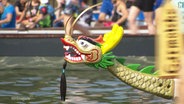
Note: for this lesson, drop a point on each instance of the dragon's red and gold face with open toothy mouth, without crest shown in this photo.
(82, 50)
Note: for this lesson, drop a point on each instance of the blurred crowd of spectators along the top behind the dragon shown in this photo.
(40, 13)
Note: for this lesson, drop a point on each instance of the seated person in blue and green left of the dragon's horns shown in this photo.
(45, 16)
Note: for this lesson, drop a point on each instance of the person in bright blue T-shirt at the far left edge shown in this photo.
(8, 18)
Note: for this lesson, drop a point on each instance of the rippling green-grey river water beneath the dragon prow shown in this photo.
(35, 80)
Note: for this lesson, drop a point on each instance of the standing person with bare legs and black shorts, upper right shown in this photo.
(147, 7)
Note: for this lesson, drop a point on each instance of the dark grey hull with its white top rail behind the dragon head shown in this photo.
(46, 42)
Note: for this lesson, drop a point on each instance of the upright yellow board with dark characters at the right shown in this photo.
(169, 41)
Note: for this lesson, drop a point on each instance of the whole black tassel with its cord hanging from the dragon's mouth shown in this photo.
(63, 82)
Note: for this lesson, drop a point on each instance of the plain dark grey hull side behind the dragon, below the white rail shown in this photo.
(128, 46)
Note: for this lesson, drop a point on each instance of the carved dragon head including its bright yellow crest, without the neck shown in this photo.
(89, 50)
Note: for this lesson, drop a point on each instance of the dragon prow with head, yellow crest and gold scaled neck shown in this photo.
(98, 53)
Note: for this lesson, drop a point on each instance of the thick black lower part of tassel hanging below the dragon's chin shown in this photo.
(63, 87)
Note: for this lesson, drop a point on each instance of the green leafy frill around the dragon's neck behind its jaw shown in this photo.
(105, 62)
